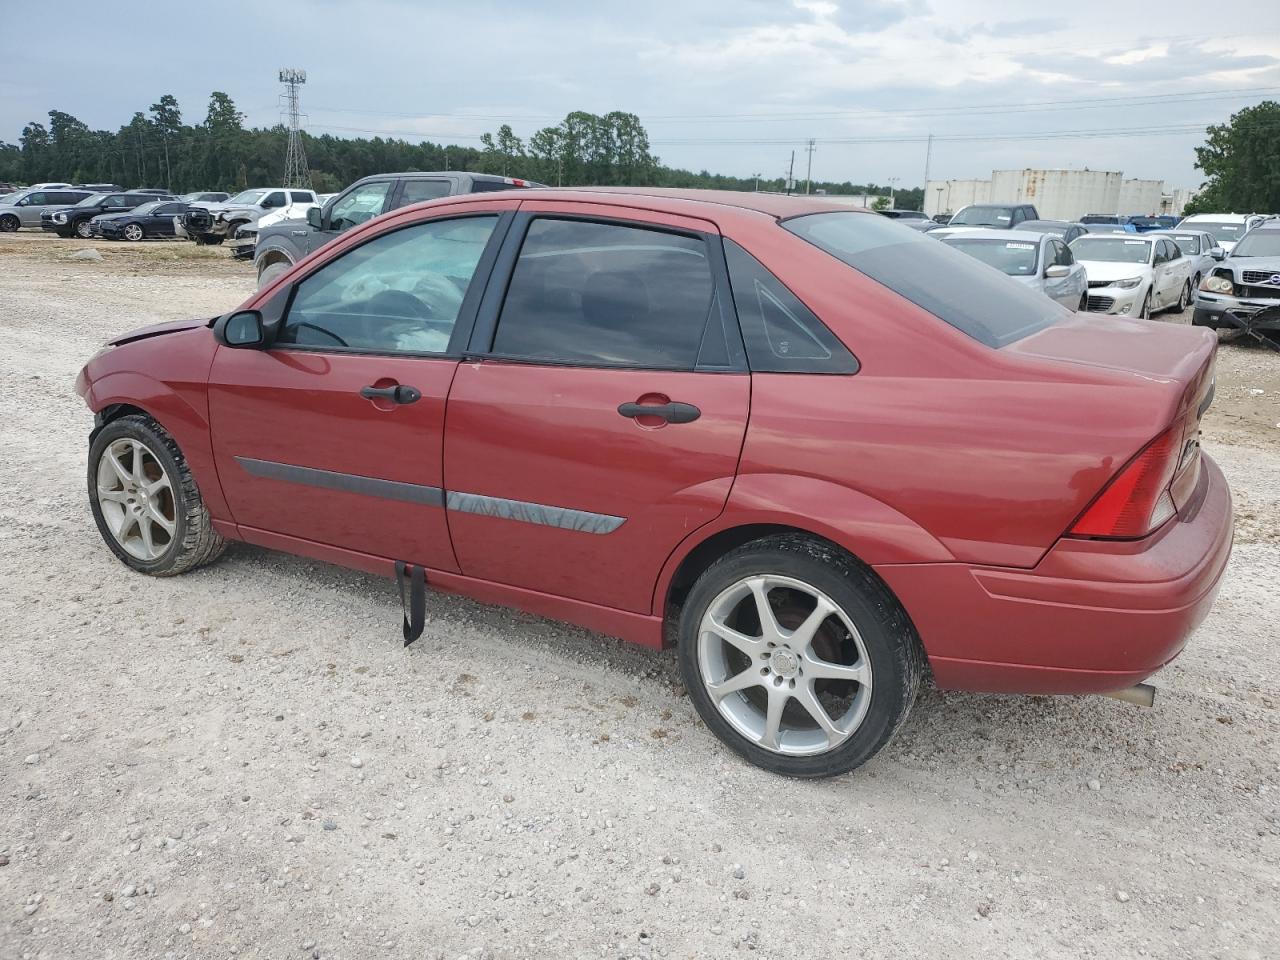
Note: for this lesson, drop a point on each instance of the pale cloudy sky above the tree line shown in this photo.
(733, 86)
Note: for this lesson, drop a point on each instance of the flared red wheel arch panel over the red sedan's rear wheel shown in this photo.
(870, 529)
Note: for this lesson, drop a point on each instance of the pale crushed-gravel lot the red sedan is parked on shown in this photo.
(245, 762)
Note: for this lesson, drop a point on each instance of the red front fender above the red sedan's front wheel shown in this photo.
(186, 419)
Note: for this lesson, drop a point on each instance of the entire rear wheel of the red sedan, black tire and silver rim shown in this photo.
(866, 636)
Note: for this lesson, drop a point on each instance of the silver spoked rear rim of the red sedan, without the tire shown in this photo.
(785, 665)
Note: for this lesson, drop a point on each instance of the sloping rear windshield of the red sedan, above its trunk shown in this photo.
(980, 303)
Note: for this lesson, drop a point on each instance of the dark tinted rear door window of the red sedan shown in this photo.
(606, 295)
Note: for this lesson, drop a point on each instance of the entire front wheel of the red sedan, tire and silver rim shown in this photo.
(148, 456)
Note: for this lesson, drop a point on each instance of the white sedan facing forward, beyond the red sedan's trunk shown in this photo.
(1133, 276)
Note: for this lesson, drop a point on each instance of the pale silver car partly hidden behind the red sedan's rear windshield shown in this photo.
(1040, 260)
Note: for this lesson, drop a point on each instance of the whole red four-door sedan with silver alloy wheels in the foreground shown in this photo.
(812, 449)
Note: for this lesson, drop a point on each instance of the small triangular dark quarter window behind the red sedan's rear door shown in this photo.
(781, 335)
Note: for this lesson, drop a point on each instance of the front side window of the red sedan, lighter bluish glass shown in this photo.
(400, 292)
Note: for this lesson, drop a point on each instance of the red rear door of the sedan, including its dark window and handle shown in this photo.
(560, 478)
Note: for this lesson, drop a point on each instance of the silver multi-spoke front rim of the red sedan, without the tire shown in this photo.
(136, 499)
